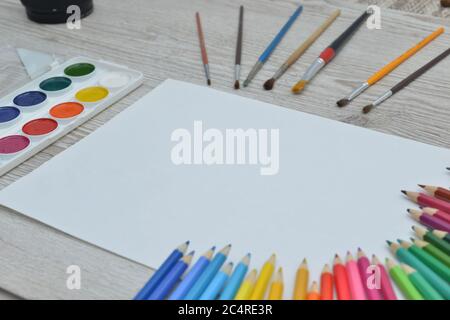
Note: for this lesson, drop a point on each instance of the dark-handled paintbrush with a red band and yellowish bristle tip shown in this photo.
(330, 52)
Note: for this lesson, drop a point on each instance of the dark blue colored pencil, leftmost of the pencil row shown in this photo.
(162, 271)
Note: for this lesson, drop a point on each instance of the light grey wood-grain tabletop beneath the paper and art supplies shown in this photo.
(152, 36)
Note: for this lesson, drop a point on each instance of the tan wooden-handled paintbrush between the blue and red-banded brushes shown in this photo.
(268, 85)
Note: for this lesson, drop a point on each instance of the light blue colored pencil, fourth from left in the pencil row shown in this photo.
(200, 286)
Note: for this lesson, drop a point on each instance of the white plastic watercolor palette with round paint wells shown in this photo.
(47, 108)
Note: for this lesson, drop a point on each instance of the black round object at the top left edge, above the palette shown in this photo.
(55, 11)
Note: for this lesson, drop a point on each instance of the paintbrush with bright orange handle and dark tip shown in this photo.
(387, 69)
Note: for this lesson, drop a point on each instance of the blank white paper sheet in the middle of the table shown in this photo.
(337, 188)
